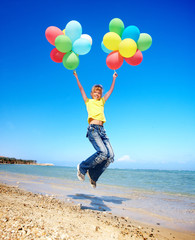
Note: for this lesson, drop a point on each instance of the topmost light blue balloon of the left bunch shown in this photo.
(73, 30)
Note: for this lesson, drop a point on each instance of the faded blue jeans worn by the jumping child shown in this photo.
(99, 161)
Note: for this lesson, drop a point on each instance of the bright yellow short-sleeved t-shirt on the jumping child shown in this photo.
(95, 109)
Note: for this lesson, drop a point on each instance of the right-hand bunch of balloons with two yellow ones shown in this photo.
(124, 43)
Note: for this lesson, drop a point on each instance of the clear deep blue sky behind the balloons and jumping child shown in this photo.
(151, 113)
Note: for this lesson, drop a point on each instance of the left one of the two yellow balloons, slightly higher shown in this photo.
(111, 41)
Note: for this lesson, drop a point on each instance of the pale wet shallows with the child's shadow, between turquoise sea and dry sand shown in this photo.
(173, 212)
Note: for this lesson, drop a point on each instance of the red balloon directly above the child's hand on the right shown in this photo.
(114, 60)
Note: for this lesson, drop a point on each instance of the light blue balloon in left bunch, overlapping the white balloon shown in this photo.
(81, 46)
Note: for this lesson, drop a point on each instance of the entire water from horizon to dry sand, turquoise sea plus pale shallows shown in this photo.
(163, 197)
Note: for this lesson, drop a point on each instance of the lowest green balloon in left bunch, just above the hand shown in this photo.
(70, 60)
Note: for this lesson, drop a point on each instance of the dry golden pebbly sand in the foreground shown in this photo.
(26, 215)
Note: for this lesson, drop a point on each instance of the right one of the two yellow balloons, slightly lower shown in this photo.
(127, 47)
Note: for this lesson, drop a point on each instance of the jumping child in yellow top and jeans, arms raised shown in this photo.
(96, 164)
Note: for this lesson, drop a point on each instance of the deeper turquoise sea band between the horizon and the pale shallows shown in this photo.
(165, 181)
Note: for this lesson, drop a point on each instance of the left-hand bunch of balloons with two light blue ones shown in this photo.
(69, 44)
